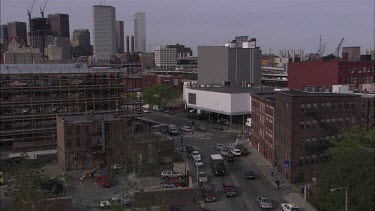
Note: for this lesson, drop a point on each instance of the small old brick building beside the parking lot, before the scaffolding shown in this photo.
(81, 139)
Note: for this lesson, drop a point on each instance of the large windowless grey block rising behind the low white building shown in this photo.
(219, 64)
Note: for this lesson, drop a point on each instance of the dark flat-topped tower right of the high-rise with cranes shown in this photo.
(59, 25)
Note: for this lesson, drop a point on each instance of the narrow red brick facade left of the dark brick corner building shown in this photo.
(262, 117)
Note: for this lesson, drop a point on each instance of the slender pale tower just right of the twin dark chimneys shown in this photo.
(140, 32)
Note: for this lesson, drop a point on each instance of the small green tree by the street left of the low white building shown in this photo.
(159, 95)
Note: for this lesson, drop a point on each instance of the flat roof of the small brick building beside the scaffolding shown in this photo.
(89, 117)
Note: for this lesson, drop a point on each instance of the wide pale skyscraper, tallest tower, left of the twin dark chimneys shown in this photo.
(104, 31)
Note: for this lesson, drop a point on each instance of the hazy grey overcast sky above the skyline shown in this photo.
(277, 24)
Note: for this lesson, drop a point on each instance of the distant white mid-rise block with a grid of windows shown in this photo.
(165, 58)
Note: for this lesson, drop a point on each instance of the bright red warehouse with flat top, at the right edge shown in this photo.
(326, 74)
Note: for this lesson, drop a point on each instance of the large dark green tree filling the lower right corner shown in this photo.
(352, 166)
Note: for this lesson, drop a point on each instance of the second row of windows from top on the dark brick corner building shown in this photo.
(339, 121)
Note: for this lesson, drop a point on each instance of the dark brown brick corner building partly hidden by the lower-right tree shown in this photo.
(304, 123)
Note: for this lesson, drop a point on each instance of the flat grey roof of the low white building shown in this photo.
(232, 89)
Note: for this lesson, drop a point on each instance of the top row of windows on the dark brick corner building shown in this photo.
(328, 106)
